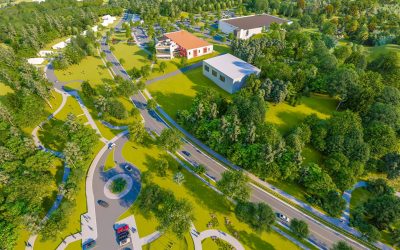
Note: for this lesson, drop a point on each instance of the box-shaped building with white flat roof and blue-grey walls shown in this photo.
(228, 71)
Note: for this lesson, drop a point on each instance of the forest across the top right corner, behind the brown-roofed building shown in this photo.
(369, 22)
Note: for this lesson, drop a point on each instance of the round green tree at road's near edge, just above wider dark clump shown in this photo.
(234, 184)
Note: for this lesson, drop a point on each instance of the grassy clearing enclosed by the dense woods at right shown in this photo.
(286, 116)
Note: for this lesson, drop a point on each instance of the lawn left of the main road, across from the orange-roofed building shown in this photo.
(90, 68)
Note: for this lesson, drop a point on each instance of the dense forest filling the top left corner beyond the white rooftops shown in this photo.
(27, 27)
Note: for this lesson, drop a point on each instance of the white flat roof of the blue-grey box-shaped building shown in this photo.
(232, 66)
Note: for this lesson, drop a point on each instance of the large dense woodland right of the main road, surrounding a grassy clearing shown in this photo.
(293, 64)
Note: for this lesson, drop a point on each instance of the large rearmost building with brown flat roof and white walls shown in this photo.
(246, 26)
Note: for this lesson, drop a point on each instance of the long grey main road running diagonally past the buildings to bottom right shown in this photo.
(320, 232)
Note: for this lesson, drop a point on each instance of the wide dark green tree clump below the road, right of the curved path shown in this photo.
(258, 215)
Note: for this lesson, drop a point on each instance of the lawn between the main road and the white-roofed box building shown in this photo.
(177, 92)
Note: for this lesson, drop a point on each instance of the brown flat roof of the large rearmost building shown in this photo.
(257, 21)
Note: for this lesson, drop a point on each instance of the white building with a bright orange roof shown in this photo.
(185, 44)
